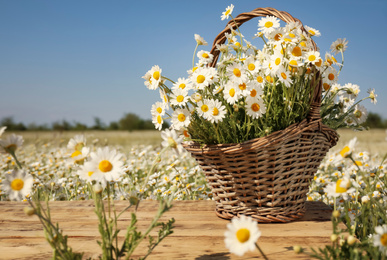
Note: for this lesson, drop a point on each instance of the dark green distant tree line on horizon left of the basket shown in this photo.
(129, 122)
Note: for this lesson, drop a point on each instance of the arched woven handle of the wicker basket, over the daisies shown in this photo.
(244, 17)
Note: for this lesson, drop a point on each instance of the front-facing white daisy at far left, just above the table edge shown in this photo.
(18, 184)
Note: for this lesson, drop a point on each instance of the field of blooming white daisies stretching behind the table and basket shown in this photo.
(350, 179)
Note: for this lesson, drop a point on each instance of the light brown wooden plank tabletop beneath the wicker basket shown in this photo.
(198, 232)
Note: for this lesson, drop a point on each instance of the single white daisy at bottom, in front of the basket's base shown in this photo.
(241, 235)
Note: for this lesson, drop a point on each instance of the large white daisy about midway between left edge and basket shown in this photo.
(107, 163)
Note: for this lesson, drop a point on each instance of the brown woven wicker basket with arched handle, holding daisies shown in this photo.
(266, 178)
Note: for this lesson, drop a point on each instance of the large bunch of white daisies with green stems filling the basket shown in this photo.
(253, 92)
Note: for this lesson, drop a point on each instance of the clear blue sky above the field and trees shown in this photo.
(76, 60)
